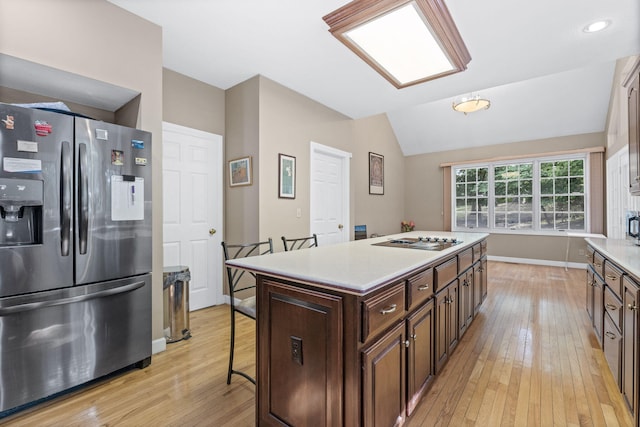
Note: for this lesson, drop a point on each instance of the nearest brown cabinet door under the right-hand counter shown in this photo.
(630, 345)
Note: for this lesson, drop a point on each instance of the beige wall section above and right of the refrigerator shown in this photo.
(96, 39)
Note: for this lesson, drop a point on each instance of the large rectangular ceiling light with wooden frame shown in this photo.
(407, 41)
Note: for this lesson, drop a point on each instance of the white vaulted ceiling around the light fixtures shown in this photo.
(544, 76)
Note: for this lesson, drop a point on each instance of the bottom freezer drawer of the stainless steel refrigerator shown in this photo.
(54, 340)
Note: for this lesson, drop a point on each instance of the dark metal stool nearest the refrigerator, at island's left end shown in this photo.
(238, 282)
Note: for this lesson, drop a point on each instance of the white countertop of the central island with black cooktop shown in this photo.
(355, 266)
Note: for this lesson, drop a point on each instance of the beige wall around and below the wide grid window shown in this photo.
(424, 194)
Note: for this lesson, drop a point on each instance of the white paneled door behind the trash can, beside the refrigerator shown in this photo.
(192, 209)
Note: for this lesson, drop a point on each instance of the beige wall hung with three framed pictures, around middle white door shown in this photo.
(286, 123)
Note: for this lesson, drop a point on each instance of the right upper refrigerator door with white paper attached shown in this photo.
(113, 201)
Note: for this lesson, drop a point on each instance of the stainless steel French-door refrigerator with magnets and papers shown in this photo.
(75, 252)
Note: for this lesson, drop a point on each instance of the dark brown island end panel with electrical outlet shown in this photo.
(305, 357)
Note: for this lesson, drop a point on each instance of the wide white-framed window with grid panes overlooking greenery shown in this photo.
(528, 195)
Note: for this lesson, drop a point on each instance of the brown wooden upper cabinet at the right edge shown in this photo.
(632, 84)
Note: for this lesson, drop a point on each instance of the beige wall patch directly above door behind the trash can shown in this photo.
(192, 103)
